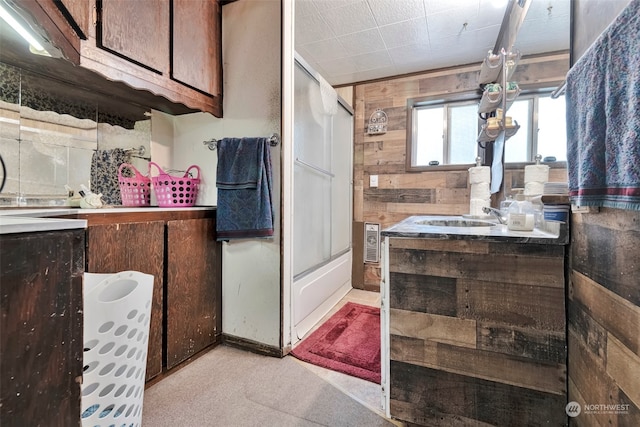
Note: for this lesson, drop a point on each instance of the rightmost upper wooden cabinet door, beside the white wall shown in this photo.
(197, 44)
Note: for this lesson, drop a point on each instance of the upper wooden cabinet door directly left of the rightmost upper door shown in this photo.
(137, 31)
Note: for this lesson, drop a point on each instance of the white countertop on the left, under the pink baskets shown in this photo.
(30, 220)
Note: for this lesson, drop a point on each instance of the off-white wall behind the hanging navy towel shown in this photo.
(251, 52)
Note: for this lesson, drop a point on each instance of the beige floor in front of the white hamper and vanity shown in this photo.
(232, 387)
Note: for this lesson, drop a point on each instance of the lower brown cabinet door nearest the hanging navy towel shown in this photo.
(193, 293)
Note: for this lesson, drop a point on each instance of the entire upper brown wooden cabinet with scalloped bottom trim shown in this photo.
(170, 51)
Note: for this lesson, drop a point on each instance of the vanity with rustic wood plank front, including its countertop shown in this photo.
(474, 324)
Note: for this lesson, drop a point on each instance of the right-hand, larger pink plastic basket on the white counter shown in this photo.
(175, 191)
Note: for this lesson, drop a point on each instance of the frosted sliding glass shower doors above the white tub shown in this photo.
(322, 177)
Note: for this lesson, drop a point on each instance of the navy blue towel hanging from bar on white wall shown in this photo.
(244, 183)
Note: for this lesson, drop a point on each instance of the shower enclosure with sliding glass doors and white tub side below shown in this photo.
(322, 185)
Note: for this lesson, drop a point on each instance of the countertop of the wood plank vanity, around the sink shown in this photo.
(554, 234)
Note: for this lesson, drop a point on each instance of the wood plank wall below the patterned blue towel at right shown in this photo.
(604, 315)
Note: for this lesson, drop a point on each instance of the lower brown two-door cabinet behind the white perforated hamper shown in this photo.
(180, 250)
